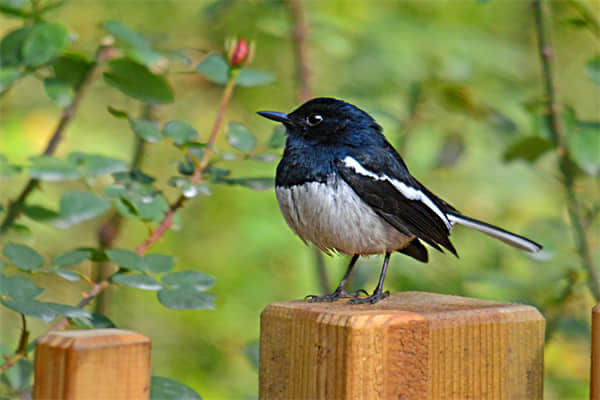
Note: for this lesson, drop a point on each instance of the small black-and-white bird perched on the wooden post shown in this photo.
(343, 187)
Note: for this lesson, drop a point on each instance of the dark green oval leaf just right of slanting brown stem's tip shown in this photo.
(137, 81)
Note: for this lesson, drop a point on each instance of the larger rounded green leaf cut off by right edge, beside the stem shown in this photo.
(584, 143)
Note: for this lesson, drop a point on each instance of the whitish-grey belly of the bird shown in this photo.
(333, 217)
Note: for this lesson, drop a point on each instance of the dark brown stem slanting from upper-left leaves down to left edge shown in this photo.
(104, 53)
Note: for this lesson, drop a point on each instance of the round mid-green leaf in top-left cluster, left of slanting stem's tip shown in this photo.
(45, 42)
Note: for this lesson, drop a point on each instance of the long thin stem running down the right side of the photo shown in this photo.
(541, 11)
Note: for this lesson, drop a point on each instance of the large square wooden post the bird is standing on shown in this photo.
(412, 345)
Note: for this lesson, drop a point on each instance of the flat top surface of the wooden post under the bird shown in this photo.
(409, 305)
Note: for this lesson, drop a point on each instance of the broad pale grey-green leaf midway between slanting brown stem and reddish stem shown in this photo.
(77, 206)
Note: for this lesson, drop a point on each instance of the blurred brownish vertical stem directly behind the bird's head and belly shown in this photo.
(303, 74)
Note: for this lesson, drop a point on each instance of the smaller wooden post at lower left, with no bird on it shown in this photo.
(92, 364)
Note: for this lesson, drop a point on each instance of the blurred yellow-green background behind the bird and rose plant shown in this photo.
(451, 82)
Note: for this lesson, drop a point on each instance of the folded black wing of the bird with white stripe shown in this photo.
(381, 179)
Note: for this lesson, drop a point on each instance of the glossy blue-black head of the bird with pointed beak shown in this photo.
(327, 120)
